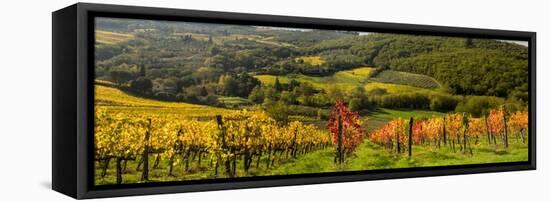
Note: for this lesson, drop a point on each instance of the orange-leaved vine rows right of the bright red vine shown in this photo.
(457, 131)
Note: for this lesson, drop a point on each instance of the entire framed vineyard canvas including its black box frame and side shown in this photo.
(155, 100)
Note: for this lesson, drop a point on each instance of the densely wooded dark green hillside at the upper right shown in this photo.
(457, 63)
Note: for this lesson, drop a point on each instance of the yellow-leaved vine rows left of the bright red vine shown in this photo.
(243, 137)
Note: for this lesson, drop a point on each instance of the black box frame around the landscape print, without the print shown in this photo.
(72, 98)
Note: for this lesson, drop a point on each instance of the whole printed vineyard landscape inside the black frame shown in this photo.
(183, 101)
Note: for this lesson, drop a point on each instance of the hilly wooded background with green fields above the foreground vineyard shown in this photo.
(221, 65)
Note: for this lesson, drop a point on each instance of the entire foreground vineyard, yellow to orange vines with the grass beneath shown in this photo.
(147, 147)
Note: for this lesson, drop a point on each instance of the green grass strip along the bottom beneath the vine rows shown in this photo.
(368, 156)
